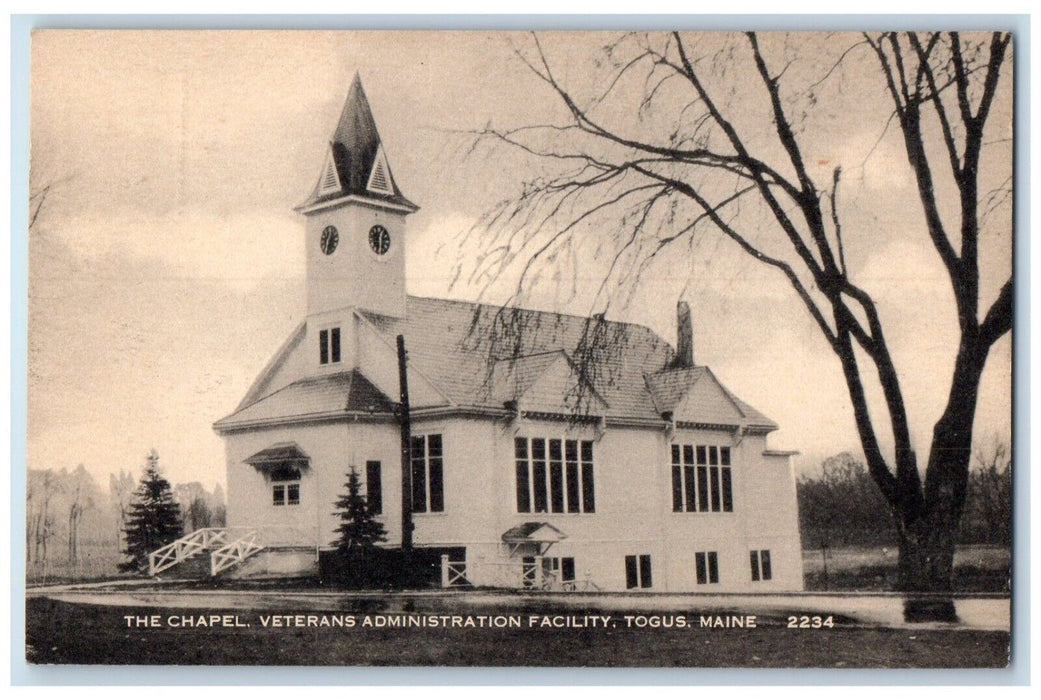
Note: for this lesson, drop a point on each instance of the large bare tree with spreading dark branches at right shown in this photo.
(697, 146)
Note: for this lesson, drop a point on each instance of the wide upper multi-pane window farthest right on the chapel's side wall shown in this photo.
(702, 480)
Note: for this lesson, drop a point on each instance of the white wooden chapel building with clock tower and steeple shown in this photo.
(547, 451)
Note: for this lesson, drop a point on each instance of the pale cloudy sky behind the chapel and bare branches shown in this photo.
(167, 265)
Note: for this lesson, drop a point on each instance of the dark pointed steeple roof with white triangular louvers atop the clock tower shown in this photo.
(357, 164)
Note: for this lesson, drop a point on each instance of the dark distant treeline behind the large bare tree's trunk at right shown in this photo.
(842, 507)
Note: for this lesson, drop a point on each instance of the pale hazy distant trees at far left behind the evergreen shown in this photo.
(71, 519)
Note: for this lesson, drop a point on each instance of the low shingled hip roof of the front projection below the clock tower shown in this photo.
(326, 396)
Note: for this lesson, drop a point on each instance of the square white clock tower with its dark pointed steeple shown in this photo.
(356, 230)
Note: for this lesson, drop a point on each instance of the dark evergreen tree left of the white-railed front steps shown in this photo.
(154, 519)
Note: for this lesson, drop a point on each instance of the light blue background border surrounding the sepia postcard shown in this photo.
(1018, 673)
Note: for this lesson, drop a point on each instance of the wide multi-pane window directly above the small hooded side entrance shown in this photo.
(554, 476)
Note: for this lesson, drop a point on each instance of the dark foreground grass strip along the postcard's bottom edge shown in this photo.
(61, 633)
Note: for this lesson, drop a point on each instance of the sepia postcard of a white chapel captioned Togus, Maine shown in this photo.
(530, 349)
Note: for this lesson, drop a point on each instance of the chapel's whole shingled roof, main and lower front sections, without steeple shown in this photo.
(478, 357)
